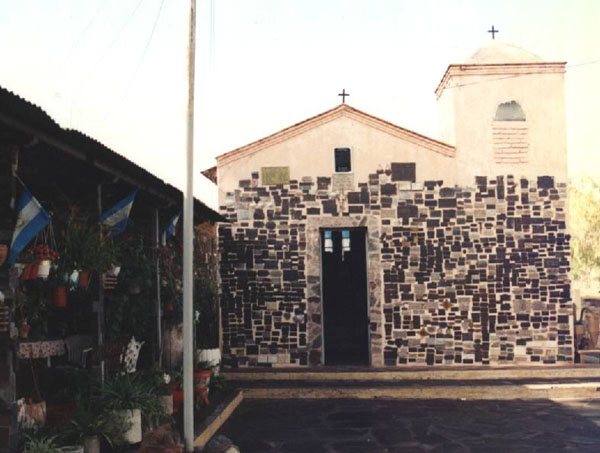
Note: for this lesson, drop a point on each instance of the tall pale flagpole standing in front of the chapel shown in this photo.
(188, 248)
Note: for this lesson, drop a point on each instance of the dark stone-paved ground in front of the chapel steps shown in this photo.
(313, 426)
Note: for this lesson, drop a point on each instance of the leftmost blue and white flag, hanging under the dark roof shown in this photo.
(32, 219)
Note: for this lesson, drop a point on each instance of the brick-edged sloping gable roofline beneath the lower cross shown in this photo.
(342, 110)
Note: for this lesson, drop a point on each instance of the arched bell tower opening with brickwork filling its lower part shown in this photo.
(510, 134)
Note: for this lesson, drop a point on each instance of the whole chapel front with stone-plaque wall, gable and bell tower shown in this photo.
(354, 241)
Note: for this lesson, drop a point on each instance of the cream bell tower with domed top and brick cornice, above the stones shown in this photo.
(504, 110)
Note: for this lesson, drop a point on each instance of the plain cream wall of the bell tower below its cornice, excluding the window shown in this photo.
(474, 102)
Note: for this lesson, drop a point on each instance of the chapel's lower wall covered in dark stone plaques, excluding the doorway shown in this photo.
(456, 276)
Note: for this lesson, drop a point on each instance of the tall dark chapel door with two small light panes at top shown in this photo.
(345, 309)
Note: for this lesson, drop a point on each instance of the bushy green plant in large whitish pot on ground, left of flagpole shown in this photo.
(130, 397)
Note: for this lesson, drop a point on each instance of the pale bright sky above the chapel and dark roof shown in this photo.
(116, 69)
